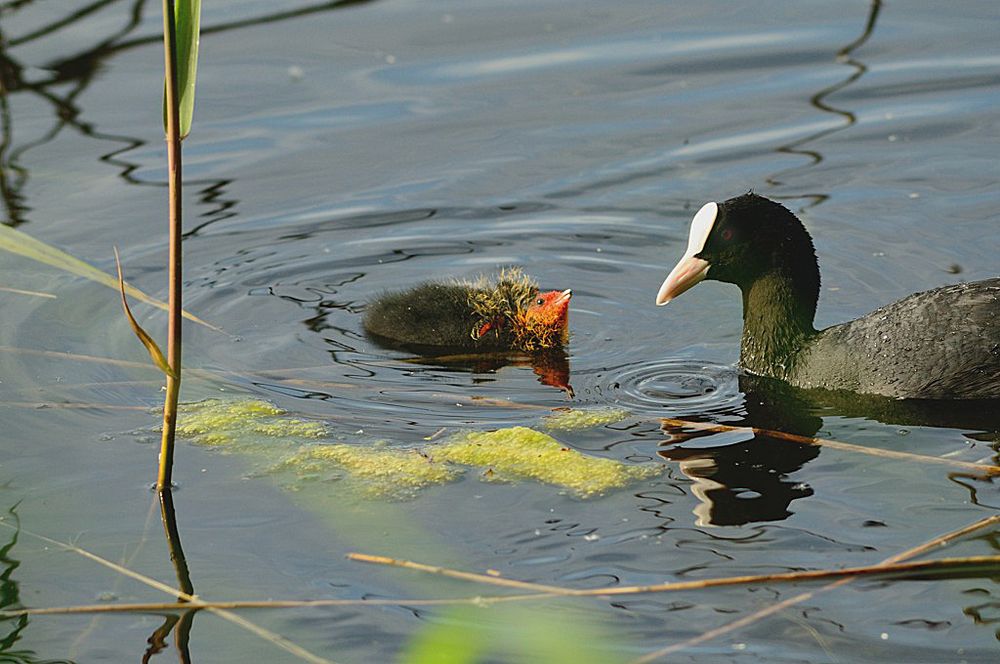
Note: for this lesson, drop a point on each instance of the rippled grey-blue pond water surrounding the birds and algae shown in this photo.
(340, 149)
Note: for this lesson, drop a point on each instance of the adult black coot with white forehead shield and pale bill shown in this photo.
(938, 344)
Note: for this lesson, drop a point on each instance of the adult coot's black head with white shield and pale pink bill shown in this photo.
(741, 240)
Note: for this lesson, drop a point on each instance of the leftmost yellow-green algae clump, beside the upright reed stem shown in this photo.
(219, 422)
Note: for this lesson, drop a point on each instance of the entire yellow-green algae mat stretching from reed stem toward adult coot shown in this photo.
(308, 450)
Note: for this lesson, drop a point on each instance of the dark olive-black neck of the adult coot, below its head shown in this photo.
(778, 313)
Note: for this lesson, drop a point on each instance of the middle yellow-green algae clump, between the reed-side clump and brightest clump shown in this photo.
(384, 471)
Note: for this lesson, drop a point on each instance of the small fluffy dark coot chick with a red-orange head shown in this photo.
(506, 314)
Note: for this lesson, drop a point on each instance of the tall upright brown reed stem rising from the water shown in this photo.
(175, 275)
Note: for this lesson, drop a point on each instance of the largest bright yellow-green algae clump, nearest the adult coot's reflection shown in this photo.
(520, 452)
